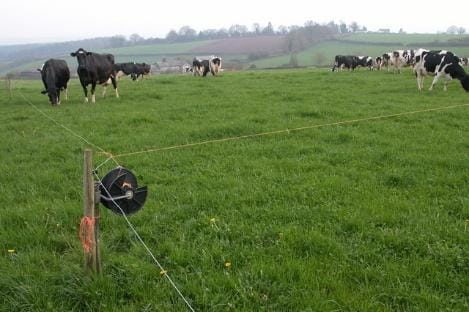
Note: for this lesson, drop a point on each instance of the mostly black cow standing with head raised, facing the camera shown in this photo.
(94, 68)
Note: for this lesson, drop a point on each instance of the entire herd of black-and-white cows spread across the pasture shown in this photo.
(94, 68)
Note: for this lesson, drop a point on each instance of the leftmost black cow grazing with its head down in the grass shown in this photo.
(55, 76)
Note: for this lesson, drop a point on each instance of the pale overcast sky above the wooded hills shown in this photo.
(28, 21)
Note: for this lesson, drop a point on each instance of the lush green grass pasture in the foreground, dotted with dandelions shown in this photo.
(369, 216)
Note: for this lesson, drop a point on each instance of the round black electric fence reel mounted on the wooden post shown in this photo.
(120, 192)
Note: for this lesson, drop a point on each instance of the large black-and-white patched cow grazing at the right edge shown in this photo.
(440, 63)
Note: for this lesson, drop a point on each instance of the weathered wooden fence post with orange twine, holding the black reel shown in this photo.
(91, 211)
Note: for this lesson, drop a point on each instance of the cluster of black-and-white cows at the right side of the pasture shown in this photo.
(440, 64)
